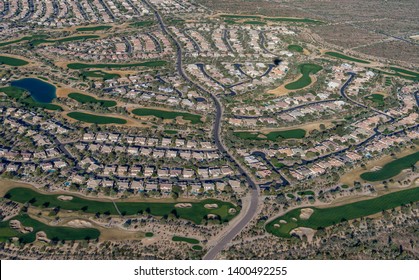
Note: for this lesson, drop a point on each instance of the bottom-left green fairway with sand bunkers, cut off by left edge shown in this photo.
(53, 232)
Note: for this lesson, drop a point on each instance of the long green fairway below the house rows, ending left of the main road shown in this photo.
(196, 213)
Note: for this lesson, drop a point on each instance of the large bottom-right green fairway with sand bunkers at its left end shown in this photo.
(324, 217)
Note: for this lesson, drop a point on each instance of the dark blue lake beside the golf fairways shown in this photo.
(40, 91)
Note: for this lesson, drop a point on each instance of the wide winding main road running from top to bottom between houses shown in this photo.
(235, 229)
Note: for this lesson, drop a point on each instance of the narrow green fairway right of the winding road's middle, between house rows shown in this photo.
(272, 136)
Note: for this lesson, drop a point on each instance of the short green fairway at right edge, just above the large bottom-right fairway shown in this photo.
(392, 168)
